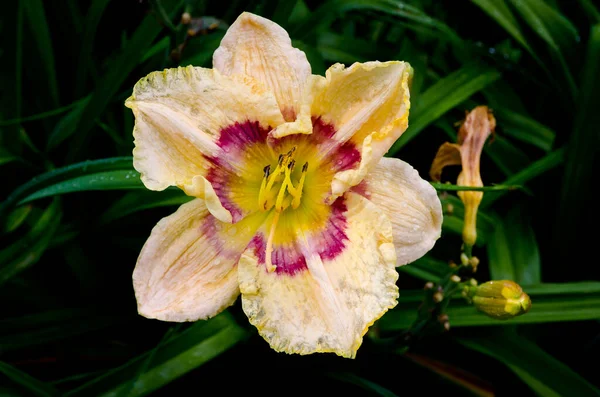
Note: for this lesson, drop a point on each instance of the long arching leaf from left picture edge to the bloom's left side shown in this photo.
(62, 174)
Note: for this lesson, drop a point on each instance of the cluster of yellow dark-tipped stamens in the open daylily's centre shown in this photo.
(277, 189)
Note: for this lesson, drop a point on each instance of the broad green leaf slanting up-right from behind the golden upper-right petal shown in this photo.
(443, 96)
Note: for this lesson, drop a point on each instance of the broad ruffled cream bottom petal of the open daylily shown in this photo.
(332, 297)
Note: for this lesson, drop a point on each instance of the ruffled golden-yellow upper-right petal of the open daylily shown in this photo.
(367, 100)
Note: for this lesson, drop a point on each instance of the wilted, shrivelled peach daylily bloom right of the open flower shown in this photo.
(474, 131)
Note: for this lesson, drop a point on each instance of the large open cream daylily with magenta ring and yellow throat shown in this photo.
(295, 207)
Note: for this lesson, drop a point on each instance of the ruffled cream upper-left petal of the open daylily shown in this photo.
(179, 115)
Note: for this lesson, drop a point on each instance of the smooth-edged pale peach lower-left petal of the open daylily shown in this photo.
(187, 268)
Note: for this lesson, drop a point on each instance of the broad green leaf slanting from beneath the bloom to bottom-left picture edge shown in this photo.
(194, 347)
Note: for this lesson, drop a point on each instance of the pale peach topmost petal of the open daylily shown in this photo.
(260, 48)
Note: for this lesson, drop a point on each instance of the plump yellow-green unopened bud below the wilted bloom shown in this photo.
(502, 300)
